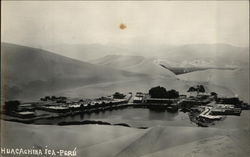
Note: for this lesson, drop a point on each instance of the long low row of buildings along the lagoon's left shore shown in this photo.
(58, 106)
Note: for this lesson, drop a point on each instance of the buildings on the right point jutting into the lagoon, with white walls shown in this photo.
(204, 114)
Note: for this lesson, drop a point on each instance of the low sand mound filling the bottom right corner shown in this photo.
(216, 146)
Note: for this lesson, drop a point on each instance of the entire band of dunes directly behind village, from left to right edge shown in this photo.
(47, 73)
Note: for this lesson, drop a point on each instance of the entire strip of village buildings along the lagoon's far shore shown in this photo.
(203, 108)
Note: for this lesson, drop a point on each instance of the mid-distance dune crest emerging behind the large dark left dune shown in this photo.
(137, 64)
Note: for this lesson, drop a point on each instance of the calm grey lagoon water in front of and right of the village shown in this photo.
(141, 116)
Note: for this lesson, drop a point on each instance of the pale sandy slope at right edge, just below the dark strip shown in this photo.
(235, 80)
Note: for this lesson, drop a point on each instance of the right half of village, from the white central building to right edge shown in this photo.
(203, 107)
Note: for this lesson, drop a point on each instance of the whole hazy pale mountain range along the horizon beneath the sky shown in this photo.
(191, 55)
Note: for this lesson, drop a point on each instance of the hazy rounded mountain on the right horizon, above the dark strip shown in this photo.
(206, 55)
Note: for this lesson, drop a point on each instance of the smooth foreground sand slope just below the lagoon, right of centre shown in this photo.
(159, 138)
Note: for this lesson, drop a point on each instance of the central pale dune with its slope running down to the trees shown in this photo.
(157, 76)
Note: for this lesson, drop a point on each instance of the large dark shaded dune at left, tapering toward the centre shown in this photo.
(29, 72)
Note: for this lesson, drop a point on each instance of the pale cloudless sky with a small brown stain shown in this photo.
(40, 23)
